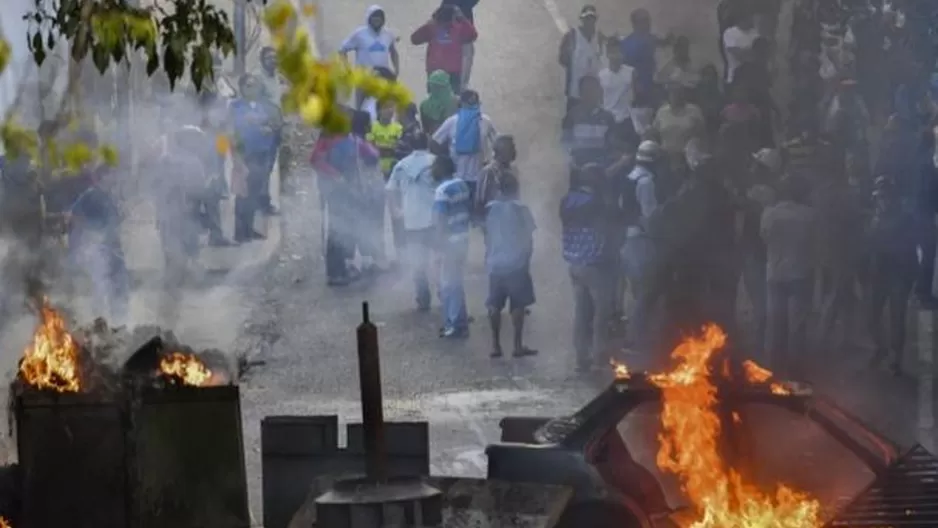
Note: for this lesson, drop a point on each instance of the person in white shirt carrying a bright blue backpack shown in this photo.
(470, 135)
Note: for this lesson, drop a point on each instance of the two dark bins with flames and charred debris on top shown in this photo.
(151, 442)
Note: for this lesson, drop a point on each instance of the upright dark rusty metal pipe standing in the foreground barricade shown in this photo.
(369, 376)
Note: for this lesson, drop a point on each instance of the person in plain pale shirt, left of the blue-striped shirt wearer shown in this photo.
(411, 191)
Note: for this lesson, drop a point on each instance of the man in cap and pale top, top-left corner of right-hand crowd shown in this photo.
(581, 51)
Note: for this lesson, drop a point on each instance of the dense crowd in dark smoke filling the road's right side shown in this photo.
(686, 185)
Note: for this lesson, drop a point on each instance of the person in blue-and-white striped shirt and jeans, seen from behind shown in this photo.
(451, 211)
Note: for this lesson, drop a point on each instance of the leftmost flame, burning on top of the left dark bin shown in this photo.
(51, 359)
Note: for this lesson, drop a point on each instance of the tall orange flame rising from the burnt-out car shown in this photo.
(690, 431)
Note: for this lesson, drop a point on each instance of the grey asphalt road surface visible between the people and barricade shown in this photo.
(307, 331)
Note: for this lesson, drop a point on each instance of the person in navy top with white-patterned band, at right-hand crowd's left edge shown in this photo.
(585, 217)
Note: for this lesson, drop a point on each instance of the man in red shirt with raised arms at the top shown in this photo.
(445, 35)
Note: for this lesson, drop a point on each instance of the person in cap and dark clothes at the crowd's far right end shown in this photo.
(893, 269)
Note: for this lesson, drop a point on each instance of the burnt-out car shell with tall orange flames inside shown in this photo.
(701, 446)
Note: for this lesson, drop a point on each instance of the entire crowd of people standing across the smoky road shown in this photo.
(688, 183)
